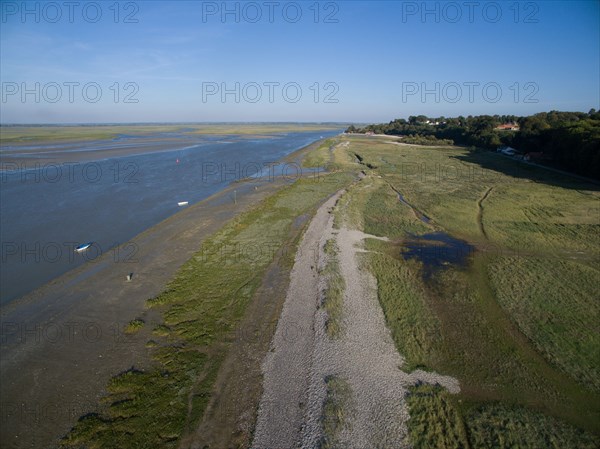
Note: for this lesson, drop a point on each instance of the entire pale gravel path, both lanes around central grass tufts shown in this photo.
(364, 355)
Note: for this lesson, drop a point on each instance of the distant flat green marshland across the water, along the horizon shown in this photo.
(39, 134)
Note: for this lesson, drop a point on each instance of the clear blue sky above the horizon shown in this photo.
(354, 61)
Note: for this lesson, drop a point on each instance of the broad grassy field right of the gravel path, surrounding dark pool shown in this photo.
(518, 325)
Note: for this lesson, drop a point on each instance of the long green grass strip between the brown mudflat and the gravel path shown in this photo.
(201, 308)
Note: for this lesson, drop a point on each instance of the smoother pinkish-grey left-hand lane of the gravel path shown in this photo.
(286, 367)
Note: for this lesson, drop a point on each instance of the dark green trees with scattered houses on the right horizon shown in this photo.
(568, 140)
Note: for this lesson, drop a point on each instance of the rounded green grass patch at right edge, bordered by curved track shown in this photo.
(533, 291)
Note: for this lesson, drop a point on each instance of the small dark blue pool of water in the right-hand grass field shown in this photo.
(436, 251)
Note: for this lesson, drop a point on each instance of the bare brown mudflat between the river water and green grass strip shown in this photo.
(63, 342)
